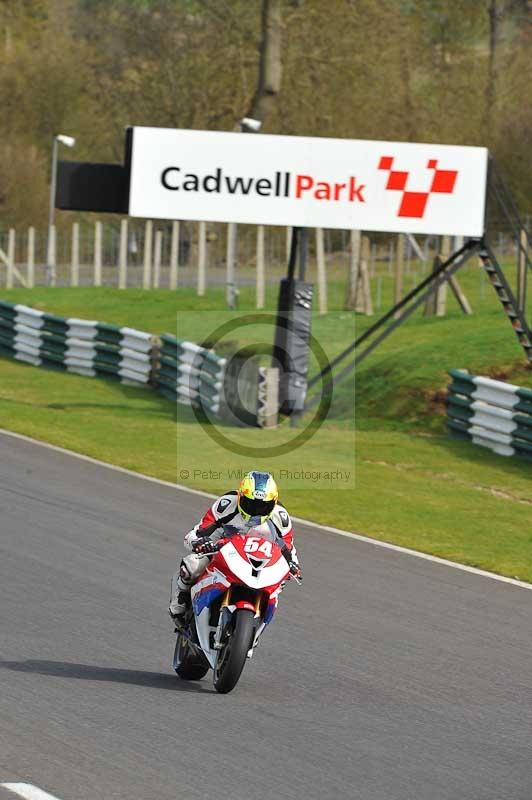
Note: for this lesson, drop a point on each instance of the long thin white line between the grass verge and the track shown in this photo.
(327, 528)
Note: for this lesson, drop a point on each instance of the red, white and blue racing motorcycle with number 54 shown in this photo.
(232, 603)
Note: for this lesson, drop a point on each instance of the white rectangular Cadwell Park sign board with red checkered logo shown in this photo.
(307, 182)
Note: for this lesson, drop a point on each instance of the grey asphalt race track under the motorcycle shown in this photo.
(384, 677)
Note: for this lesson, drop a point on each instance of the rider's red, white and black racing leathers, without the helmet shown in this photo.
(224, 512)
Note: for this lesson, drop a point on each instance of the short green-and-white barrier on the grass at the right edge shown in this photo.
(491, 413)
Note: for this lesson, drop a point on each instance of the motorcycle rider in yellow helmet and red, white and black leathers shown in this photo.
(254, 505)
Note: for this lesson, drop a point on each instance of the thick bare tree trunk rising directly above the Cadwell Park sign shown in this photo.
(270, 67)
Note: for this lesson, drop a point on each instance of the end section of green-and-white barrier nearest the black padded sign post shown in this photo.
(190, 374)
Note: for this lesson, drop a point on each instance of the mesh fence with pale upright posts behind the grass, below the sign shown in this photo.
(144, 254)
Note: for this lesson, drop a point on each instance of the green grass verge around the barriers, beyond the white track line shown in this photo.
(414, 485)
